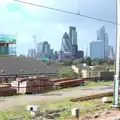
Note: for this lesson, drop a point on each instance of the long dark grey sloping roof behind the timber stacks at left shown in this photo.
(12, 65)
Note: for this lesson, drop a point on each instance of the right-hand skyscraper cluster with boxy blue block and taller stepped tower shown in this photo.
(101, 47)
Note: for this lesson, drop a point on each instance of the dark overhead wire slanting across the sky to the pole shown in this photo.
(68, 12)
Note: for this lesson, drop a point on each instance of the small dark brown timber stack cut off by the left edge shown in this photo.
(6, 90)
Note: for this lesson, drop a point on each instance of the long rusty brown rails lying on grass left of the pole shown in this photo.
(91, 97)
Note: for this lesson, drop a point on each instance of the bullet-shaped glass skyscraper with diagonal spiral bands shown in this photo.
(66, 43)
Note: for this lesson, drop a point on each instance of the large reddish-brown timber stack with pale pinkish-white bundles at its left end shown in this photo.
(32, 84)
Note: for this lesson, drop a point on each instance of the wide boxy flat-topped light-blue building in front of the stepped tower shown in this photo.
(97, 49)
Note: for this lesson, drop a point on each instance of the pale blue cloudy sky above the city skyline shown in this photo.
(47, 25)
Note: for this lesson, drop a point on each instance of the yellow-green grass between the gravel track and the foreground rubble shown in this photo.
(85, 107)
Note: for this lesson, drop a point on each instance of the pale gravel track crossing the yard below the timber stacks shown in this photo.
(15, 101)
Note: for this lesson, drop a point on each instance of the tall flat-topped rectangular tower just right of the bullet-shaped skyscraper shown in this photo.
(73, 35)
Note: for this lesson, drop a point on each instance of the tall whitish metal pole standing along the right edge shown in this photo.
(117, 69)
